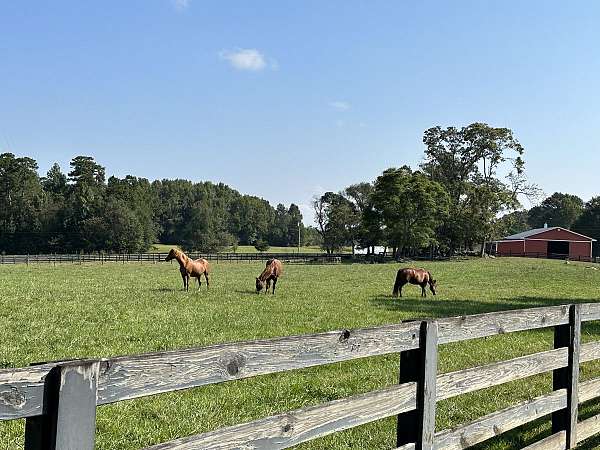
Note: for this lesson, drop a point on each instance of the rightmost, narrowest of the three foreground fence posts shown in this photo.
(568, 377)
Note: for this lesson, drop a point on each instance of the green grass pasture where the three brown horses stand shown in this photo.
(92, 310)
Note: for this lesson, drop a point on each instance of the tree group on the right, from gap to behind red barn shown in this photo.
(465, 193)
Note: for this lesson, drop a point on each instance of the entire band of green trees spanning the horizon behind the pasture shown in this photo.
(465, 193)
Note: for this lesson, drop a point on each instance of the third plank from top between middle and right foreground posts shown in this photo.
(500, 422)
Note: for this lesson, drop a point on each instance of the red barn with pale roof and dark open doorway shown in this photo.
(552, 242)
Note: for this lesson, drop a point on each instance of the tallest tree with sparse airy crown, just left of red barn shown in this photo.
(482, 169)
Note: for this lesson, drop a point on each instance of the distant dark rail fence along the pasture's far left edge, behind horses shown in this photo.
(79, 258)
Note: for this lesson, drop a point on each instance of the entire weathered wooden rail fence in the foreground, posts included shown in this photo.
(59, 400)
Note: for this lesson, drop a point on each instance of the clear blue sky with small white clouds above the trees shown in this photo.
(287, 99)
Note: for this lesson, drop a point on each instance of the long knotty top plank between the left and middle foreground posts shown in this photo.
(131, 377)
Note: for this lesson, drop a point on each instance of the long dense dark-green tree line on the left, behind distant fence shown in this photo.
(82, 211)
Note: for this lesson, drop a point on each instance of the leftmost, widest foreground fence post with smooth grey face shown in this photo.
(69, 420)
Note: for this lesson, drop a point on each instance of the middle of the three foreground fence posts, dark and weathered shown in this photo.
(420, 365)
